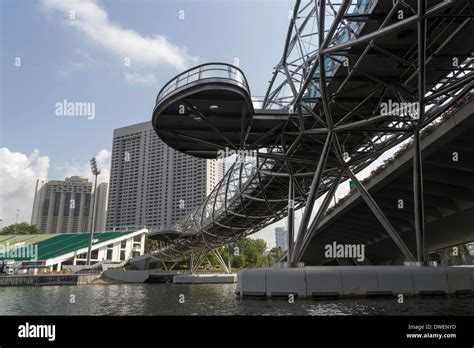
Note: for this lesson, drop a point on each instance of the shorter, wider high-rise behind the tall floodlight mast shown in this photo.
(65, 206)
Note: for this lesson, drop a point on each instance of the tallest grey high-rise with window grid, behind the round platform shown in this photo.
(152, 184)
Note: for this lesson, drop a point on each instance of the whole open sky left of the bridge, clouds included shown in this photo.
(79, 56)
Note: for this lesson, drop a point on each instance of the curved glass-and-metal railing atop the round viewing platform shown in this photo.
(222, 71)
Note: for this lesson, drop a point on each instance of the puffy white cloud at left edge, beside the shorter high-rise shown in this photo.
(18, 174)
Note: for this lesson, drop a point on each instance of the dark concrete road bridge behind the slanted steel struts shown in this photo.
(448, 183)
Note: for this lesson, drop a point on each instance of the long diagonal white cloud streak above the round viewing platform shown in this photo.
(143, 51)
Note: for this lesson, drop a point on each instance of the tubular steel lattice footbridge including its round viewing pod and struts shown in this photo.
(320, 122)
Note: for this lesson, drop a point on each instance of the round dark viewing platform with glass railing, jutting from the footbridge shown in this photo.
(204, 109)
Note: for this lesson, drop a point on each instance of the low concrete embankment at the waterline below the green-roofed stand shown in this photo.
(40, 280)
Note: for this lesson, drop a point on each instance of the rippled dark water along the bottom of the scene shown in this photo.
(202, 299)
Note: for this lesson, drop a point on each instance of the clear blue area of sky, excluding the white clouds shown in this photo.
(59, 62)
